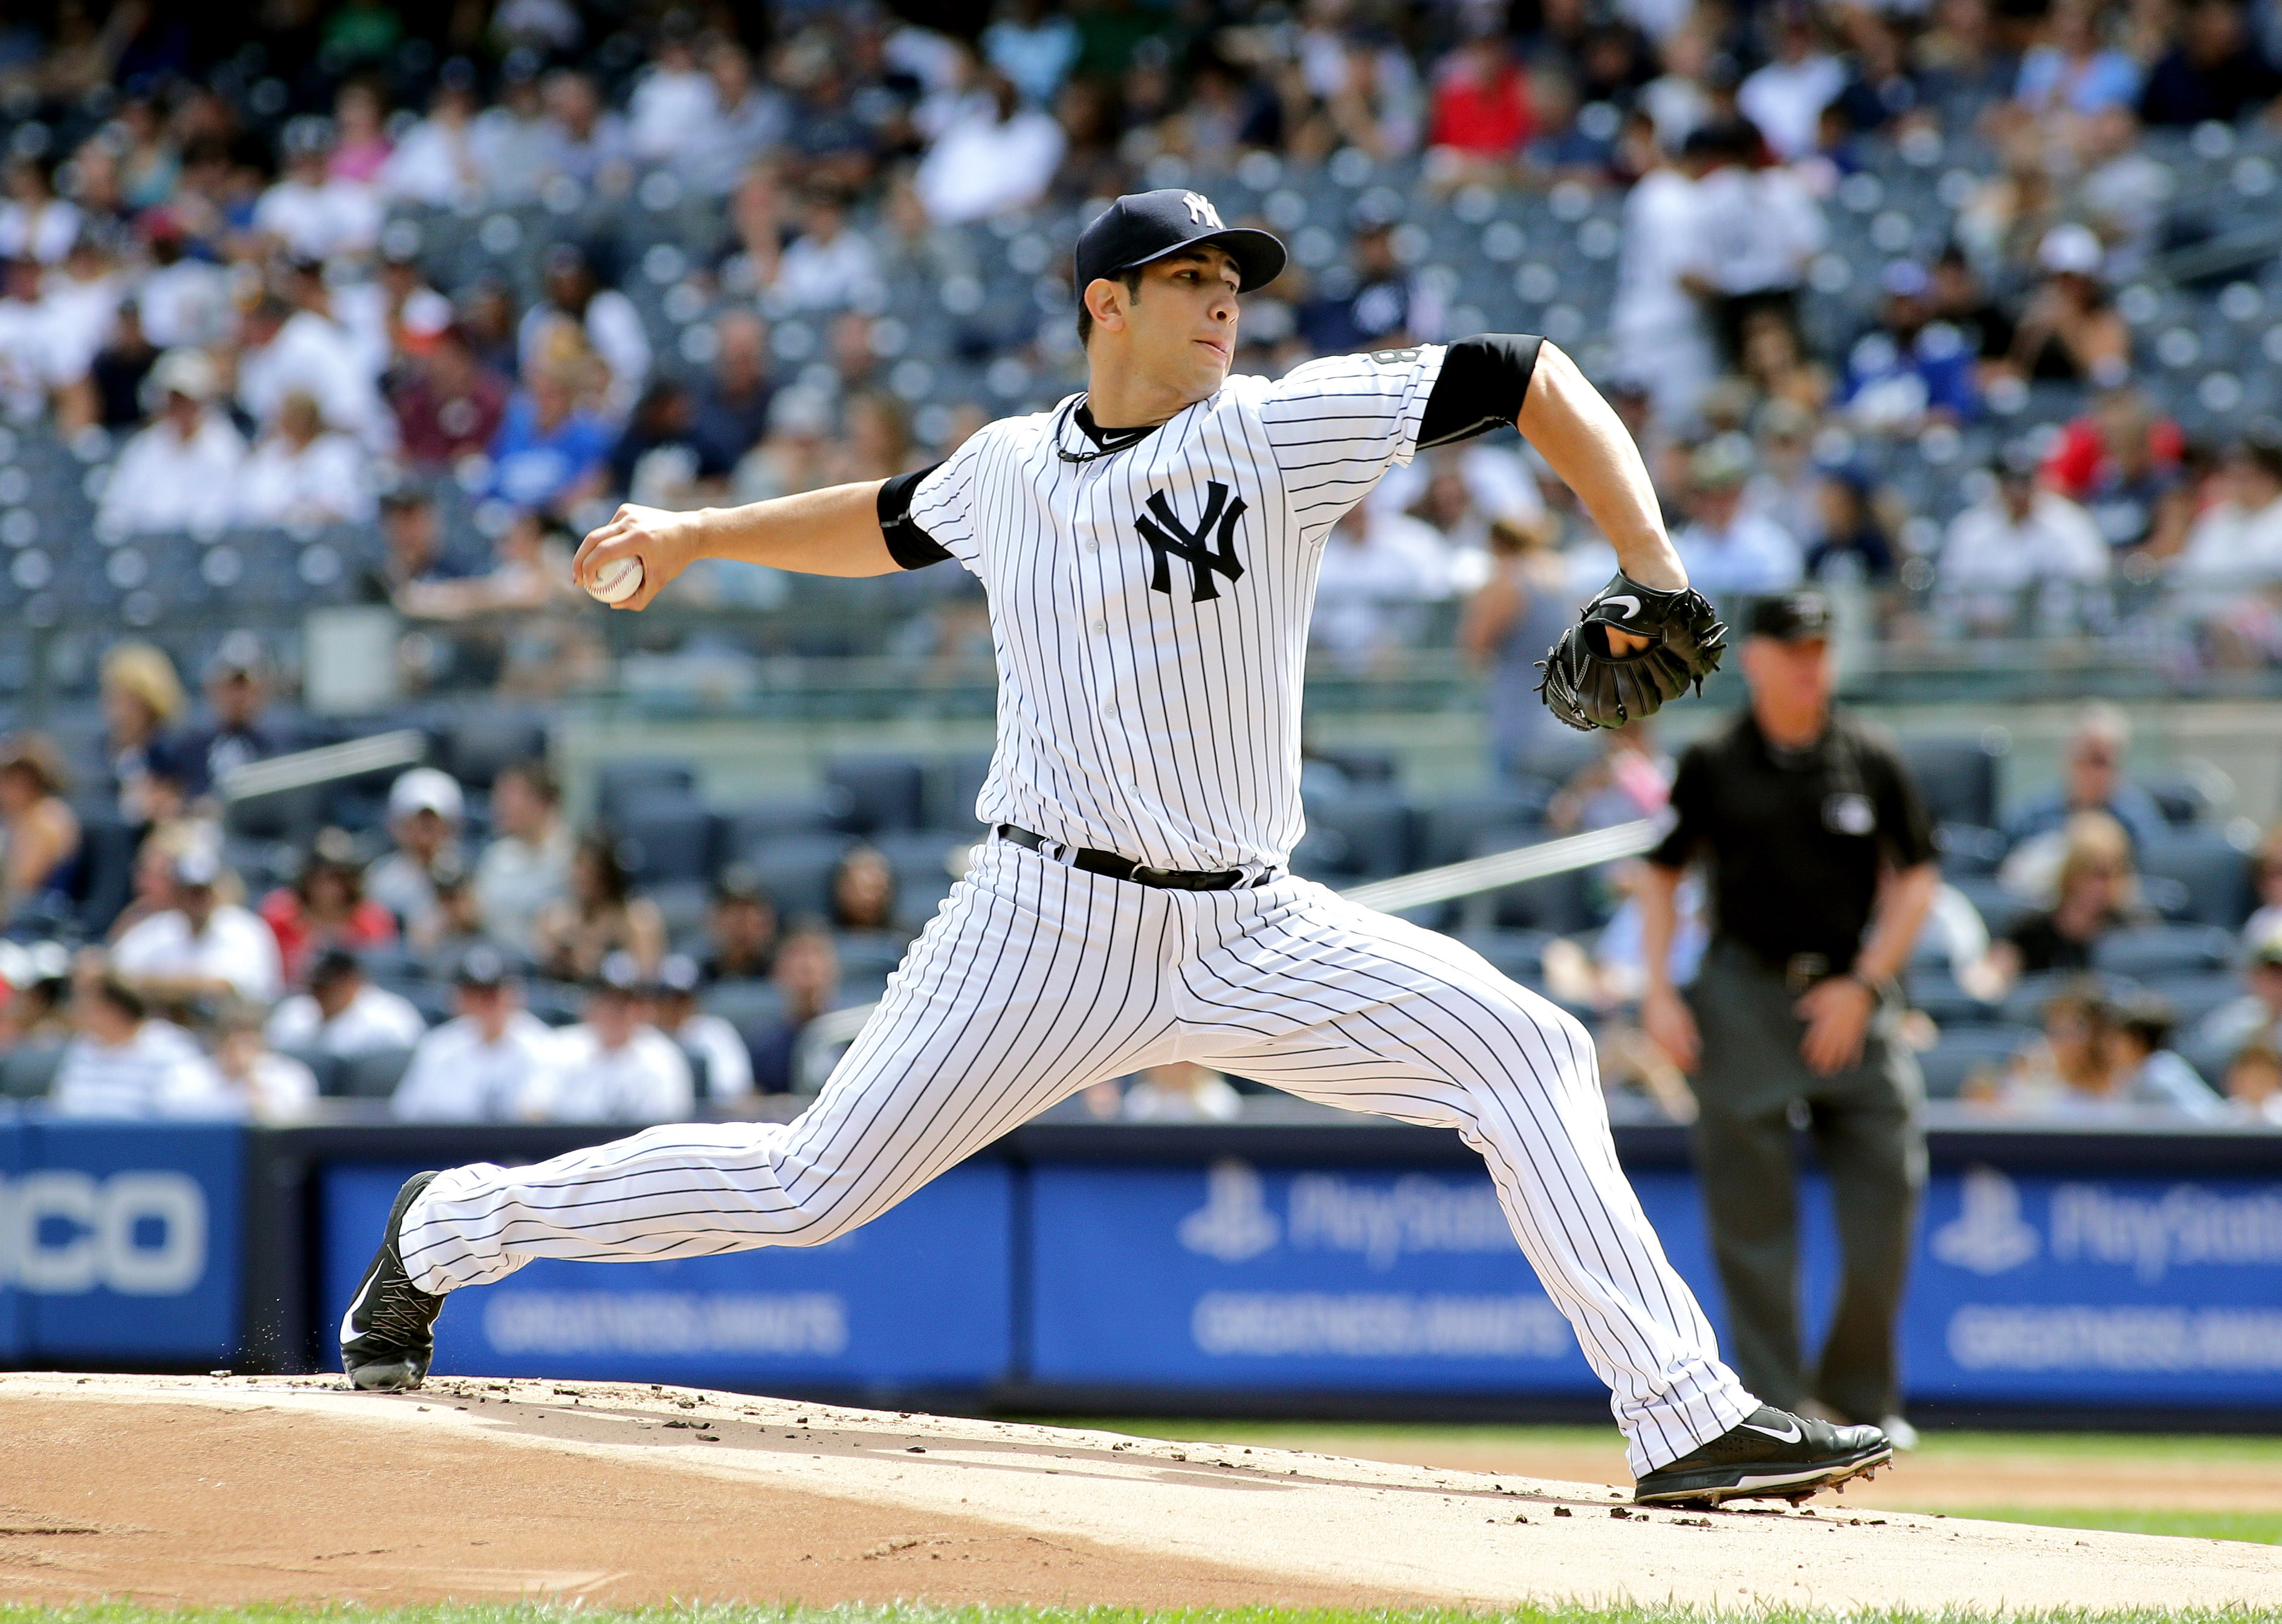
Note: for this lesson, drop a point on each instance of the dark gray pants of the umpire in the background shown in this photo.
(1872, 1146)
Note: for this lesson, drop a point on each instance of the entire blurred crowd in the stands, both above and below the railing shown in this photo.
(1895, 298)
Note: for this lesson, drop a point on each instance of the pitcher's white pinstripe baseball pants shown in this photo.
(1039, 980)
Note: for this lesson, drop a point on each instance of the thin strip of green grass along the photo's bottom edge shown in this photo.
(921, 1614)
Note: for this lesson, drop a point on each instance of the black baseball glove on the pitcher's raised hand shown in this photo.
(1587, 685)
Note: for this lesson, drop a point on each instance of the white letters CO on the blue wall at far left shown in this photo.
(136, 1233)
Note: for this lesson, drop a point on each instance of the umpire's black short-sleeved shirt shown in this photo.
(1795, 841)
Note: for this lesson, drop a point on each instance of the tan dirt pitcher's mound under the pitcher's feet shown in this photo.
(298, 1491)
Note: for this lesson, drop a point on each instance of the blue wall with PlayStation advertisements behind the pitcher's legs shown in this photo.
(2034, 1285)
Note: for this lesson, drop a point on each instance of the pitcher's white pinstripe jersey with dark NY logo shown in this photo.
(1151, 606)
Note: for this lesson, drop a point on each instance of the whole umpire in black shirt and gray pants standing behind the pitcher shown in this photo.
(1820, 870)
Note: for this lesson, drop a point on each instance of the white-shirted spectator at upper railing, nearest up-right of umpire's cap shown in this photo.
(2016, 539)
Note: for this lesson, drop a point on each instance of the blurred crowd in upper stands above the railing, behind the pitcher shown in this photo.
(222, 254)
